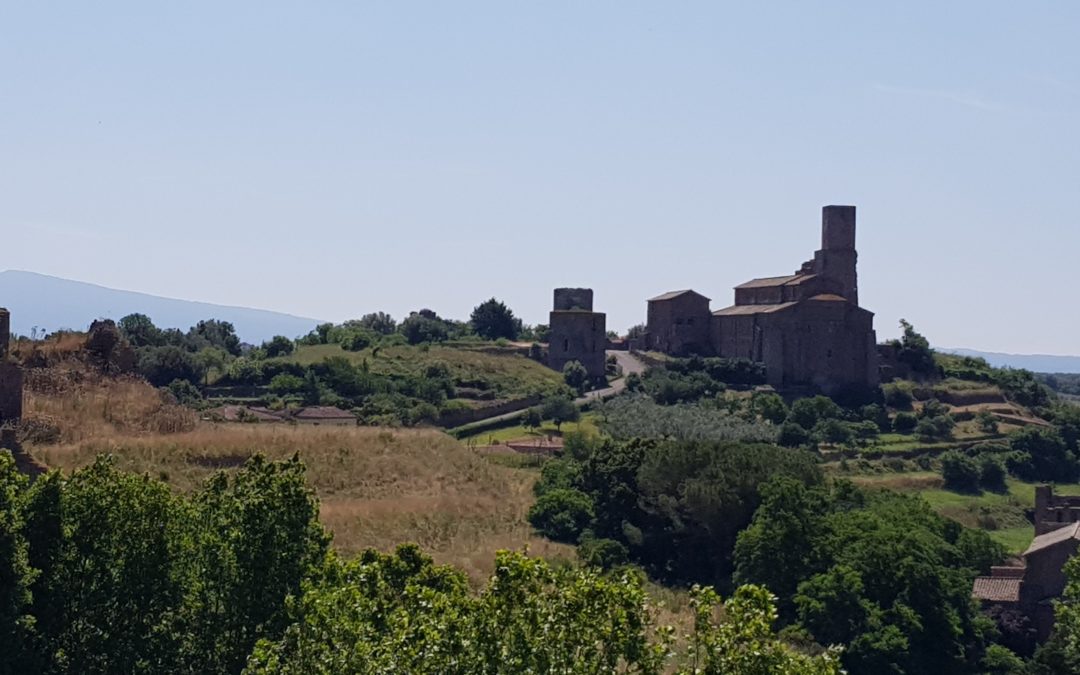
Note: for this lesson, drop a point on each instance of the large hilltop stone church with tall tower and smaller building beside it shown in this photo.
(806, 328)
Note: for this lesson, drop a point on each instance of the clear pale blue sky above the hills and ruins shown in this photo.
(333, 159)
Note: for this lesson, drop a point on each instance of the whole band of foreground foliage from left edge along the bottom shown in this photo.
(112, 573)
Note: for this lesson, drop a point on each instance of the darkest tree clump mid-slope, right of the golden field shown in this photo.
(677, 507)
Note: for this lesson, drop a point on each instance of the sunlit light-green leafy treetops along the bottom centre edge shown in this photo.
(401, 614)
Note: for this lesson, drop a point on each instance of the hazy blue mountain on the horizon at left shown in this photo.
(50, 304)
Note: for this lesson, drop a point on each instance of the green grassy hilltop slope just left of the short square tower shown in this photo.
(509, 374)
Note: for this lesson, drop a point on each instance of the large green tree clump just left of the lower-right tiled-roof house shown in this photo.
(877, 572)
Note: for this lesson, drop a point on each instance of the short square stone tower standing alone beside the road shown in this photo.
(577, 332)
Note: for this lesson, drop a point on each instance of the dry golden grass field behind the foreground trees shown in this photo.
(379, 489)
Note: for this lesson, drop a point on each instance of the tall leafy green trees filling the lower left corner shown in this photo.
(113, 573)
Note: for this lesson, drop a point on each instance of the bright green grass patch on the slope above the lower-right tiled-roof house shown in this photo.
(1003, 516)
